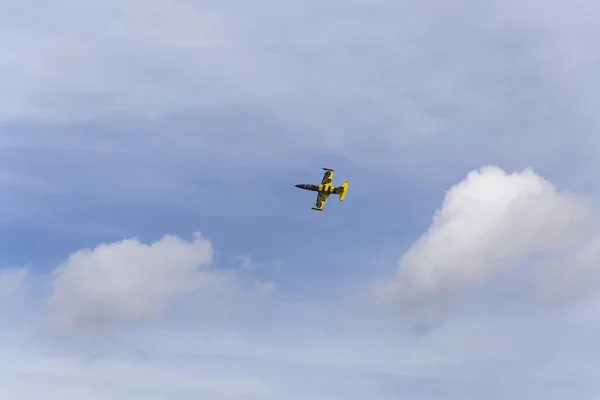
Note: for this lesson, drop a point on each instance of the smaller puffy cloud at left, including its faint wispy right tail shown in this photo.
(129, 282)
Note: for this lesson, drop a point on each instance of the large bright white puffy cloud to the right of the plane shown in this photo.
(495, 225)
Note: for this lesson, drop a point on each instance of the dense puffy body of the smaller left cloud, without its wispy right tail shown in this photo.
(128, 281)
